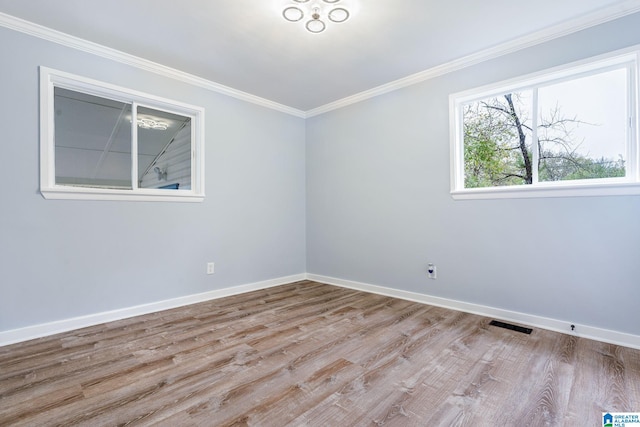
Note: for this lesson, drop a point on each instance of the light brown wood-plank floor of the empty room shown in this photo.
(308, 354)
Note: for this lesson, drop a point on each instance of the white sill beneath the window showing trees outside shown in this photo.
(550, 190)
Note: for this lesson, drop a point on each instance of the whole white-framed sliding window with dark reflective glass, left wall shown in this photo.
(100, 141)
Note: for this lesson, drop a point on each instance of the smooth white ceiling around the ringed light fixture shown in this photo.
(246, 45)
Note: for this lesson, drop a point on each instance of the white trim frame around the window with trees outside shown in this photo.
(629, 185)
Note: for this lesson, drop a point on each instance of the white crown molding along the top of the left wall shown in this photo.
(64, 39)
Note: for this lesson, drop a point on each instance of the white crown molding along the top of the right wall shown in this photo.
(568, 27)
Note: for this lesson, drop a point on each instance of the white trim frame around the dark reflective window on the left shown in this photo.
(50, 78)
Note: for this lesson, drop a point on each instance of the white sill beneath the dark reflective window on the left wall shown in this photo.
(66, 193)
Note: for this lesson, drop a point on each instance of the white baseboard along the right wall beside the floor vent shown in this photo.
(584, 331)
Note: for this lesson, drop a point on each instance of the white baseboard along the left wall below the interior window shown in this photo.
(51, 328)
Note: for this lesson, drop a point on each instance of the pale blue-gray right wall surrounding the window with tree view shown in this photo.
(379, 209)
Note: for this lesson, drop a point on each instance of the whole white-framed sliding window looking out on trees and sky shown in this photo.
(564, 132)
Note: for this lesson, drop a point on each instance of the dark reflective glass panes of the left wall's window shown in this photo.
(93, 144)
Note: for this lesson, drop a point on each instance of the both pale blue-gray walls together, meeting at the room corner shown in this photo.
(377, 205)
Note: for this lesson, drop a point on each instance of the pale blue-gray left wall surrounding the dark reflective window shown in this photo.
(61, 259)
